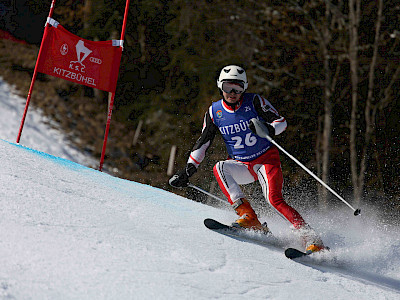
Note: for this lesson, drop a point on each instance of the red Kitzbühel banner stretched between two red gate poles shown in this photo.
(67, 56)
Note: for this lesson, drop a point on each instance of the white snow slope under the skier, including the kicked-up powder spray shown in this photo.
(71, 232)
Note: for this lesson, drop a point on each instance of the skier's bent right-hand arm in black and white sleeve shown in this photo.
(276, 124)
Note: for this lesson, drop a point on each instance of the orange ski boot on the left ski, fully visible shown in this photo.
(247, 217)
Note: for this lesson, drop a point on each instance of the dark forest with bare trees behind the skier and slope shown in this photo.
(331, 68)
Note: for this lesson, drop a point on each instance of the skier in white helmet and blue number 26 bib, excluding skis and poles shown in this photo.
(251, 157)
